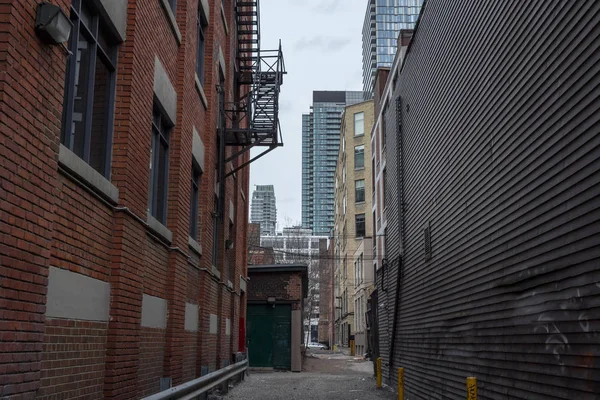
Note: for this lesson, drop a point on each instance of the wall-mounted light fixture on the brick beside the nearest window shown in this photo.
(52, 24)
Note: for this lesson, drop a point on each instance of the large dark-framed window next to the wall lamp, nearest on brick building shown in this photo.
(89, 90)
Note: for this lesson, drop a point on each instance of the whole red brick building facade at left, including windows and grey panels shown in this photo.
(112, 284)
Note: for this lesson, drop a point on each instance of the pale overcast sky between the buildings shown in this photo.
(322, 48)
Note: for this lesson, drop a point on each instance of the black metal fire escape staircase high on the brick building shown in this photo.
(252, 120)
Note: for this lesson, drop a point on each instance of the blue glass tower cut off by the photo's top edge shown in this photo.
(383, 21)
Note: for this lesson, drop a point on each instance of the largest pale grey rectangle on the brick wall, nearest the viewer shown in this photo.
(75, 296)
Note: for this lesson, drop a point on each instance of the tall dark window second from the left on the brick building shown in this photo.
(159, 166)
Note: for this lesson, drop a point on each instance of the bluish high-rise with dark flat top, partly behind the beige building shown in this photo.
(320, 145)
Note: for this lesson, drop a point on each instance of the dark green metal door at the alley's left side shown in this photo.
(269, 335)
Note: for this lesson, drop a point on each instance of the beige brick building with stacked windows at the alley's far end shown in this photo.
(353, 218)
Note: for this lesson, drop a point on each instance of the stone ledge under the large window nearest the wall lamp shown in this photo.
(87, 174)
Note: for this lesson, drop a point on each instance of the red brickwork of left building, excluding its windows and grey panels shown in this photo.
(48, 219)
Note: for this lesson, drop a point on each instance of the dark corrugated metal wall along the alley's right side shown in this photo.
(501, 125)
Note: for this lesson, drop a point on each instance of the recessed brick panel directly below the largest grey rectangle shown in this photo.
(73, 360)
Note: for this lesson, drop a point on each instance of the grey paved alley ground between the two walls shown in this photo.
(324, 376)
